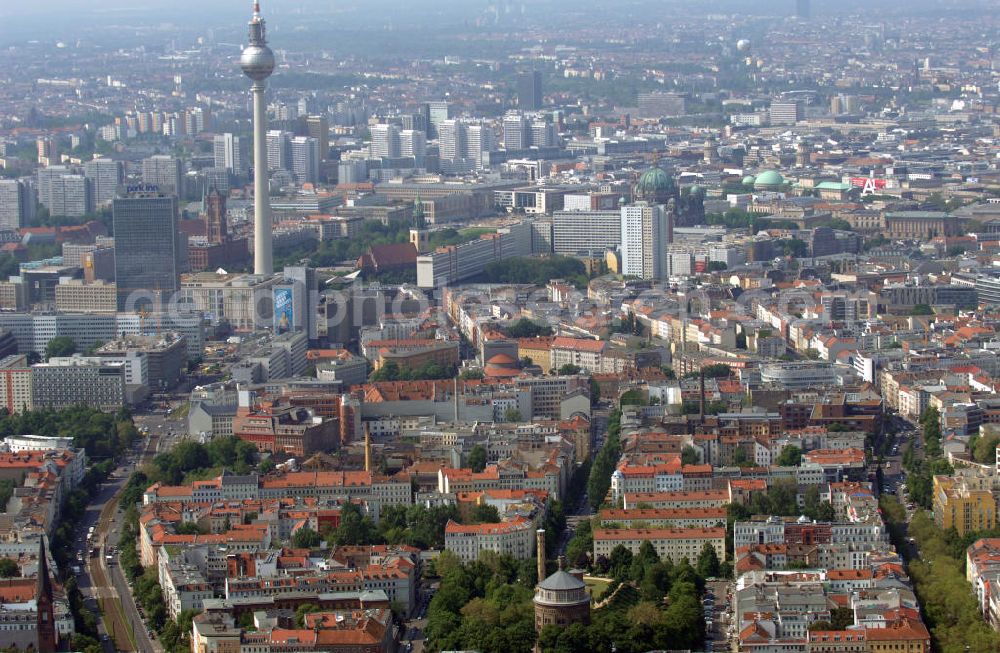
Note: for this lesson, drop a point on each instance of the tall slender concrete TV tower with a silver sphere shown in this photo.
(257, 62)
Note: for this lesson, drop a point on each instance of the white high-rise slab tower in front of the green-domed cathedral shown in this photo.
(645, 234)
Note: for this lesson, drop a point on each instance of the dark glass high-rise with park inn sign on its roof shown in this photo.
(147, 249)
